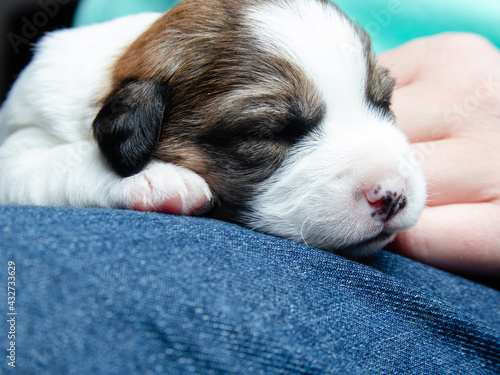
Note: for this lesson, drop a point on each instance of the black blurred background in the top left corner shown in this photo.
(22, 23)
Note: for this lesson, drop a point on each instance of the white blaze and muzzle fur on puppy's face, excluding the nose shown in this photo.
(316, 197)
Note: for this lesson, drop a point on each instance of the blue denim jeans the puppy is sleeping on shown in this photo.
(119, 292)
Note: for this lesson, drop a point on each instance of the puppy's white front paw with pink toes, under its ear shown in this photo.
(167, 188)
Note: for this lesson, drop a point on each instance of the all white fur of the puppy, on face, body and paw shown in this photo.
(48, 155)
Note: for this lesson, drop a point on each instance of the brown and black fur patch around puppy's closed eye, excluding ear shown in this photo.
(235, 108)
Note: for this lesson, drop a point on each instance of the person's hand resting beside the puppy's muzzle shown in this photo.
(447, 101)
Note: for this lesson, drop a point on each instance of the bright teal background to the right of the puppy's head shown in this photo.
(394, 22)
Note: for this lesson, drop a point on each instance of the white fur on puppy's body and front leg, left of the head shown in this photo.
(47, 152)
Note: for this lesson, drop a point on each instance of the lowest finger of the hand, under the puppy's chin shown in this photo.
(462, 238)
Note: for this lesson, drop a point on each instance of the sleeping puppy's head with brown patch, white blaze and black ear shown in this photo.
(280, 107)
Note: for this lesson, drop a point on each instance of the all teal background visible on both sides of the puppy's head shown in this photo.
(389, 22)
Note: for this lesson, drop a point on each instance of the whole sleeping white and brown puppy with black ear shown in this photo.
(269, 113)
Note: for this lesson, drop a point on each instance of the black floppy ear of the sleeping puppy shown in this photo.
(128, 126)
